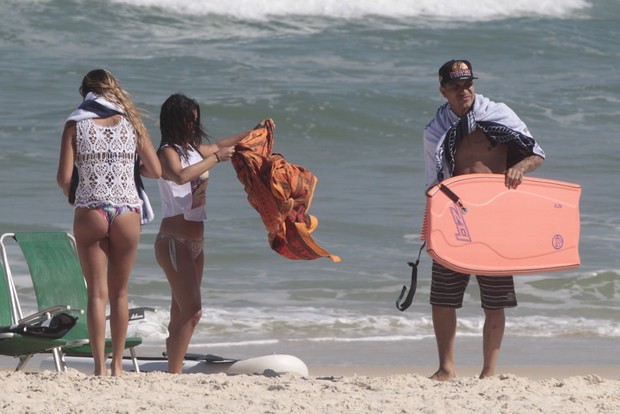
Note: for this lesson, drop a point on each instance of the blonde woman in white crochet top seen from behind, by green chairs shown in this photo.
(101, 138)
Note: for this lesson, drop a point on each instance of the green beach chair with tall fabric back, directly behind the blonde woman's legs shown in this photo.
(57, 278)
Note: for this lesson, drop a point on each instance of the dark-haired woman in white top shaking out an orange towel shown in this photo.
(186, 161)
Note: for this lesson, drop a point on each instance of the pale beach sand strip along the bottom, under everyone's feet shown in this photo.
(565, 389)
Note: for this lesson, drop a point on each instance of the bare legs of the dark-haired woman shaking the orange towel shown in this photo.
(186, 306)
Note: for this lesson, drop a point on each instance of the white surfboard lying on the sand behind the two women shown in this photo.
(268, 365)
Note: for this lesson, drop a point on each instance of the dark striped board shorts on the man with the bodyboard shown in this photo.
(448, 288)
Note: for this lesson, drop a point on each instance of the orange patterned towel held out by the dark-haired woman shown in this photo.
(281, 193)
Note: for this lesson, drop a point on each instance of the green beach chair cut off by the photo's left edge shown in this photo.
(16, 344)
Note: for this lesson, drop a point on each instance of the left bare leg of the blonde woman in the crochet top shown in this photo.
(90, 230)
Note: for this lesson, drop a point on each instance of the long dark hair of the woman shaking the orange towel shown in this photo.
(179, 123)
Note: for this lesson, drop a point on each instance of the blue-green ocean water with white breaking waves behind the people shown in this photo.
(350, 85)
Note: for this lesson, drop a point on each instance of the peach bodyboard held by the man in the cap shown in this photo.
(493, 230)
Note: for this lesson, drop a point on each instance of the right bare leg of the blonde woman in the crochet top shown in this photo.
(124, 237)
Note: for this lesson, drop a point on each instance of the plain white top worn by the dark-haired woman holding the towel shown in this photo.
(188, 199)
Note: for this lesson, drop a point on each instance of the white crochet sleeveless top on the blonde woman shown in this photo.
(105, 157)
